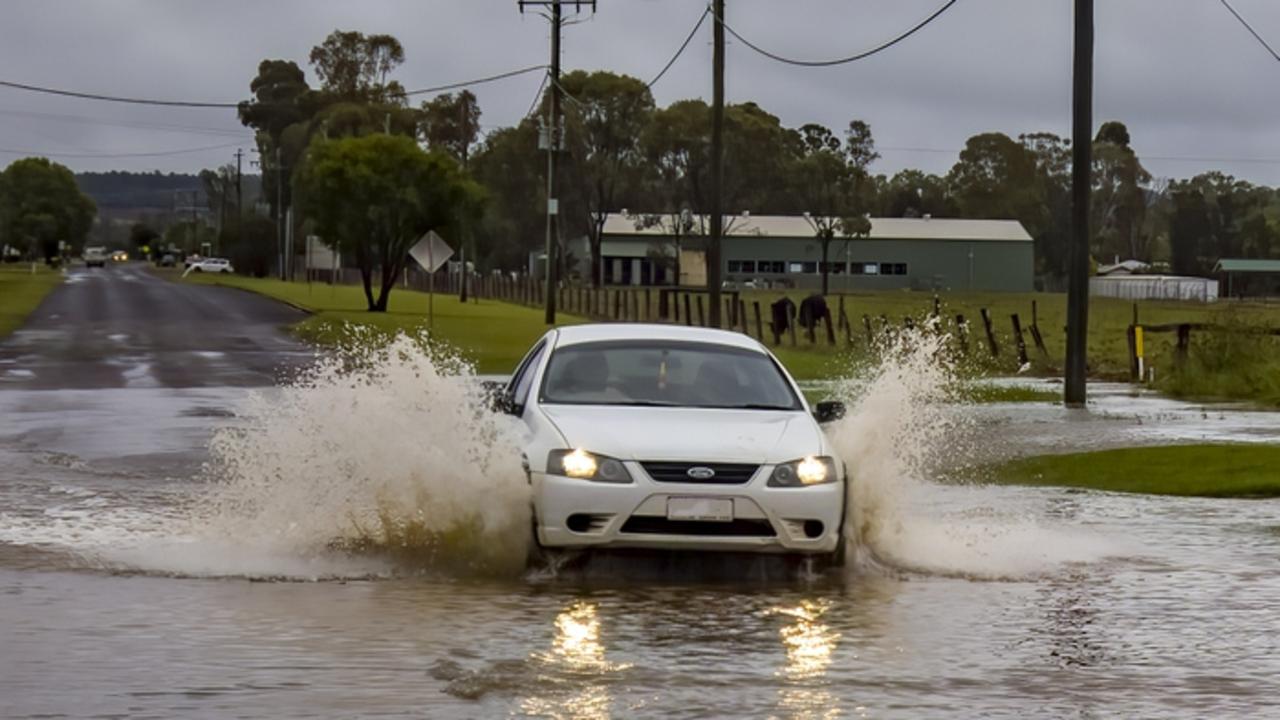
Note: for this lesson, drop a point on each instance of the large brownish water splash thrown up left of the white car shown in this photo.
(387, 450)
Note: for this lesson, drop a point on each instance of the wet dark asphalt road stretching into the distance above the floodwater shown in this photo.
(124, 327)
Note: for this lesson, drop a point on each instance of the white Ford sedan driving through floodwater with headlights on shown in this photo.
(679, 439)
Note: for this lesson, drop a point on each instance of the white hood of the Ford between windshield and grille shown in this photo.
(688, 434)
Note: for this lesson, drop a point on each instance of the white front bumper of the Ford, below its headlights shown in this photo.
(573, 513)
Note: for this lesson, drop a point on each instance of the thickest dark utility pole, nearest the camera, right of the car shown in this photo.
(1082, 166)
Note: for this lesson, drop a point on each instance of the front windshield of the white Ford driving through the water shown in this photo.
(656, 373)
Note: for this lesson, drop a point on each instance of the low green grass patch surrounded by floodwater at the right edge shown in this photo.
(1203, 471)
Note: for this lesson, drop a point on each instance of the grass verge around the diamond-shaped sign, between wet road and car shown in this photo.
(493, 335)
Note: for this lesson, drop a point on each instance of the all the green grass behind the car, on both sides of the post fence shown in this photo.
(496, 334)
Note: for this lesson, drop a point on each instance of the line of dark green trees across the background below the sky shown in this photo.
(322, 145)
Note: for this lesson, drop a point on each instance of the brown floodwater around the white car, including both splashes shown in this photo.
(168, 554)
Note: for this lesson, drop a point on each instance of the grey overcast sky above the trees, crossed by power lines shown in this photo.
(1196, 90)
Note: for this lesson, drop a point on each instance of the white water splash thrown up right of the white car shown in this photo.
(904, 427)
